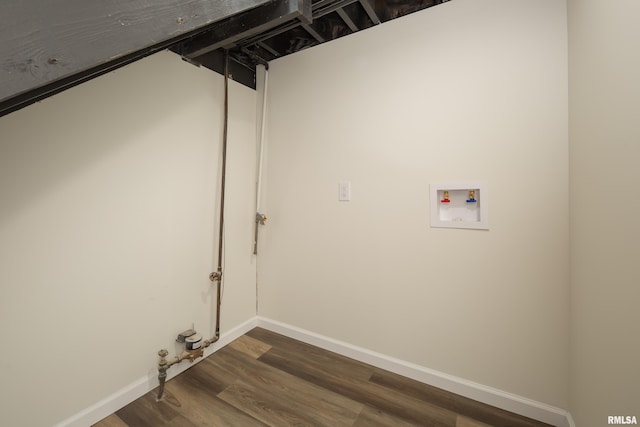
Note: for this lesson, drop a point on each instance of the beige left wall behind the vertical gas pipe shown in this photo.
(107, 210)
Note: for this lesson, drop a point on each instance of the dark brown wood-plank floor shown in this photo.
(266, 379)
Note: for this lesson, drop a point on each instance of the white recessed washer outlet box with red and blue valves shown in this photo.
(458, 213)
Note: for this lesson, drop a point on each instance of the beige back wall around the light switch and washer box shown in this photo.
(467, 90)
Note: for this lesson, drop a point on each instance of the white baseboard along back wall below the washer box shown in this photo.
(489, 395)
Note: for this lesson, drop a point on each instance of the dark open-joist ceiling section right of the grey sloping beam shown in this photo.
(249, 43)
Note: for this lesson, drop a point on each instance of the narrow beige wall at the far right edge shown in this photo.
(604, 46)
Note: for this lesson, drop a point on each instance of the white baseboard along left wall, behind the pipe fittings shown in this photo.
(131, 392)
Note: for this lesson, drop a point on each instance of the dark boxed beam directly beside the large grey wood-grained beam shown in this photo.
(244, 25)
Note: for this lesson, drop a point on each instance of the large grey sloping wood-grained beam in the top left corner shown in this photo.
(46, 47)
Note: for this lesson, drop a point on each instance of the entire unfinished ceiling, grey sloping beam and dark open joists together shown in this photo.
(49, 46)
